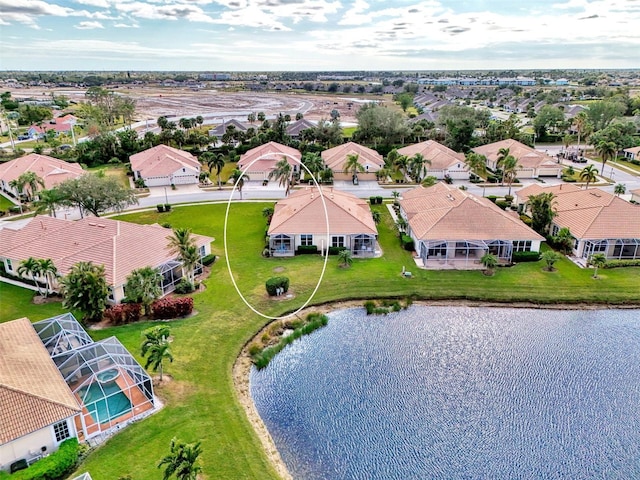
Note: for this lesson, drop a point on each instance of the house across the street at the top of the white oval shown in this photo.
(259, 162)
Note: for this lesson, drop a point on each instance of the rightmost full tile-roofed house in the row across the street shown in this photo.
(533, 164)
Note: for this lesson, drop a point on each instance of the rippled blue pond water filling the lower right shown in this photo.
(459, 393)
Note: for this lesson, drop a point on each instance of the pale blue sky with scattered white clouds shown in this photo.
(318, 35)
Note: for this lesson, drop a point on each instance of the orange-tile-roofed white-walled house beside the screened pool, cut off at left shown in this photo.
(36, 406)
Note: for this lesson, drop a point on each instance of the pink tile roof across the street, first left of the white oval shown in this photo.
(161, 160)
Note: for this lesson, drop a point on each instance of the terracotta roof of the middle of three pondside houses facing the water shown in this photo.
(443, 212)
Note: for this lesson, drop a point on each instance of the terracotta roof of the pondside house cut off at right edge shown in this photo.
(593, 213)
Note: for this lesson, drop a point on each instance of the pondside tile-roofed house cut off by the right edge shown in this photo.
(598, 221)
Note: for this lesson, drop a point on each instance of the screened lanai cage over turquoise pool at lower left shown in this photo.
(111, 386)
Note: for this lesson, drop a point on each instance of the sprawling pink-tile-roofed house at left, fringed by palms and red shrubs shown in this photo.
(120, 246)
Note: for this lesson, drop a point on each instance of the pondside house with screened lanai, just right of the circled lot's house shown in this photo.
(452, 228)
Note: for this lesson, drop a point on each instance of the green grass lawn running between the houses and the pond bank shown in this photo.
(200, 402)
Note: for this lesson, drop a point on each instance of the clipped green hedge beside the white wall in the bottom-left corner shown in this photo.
(56, 466)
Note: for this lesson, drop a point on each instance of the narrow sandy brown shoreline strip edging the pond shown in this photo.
(242, 365)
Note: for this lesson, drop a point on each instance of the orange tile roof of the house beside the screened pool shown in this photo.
(33, 394)
